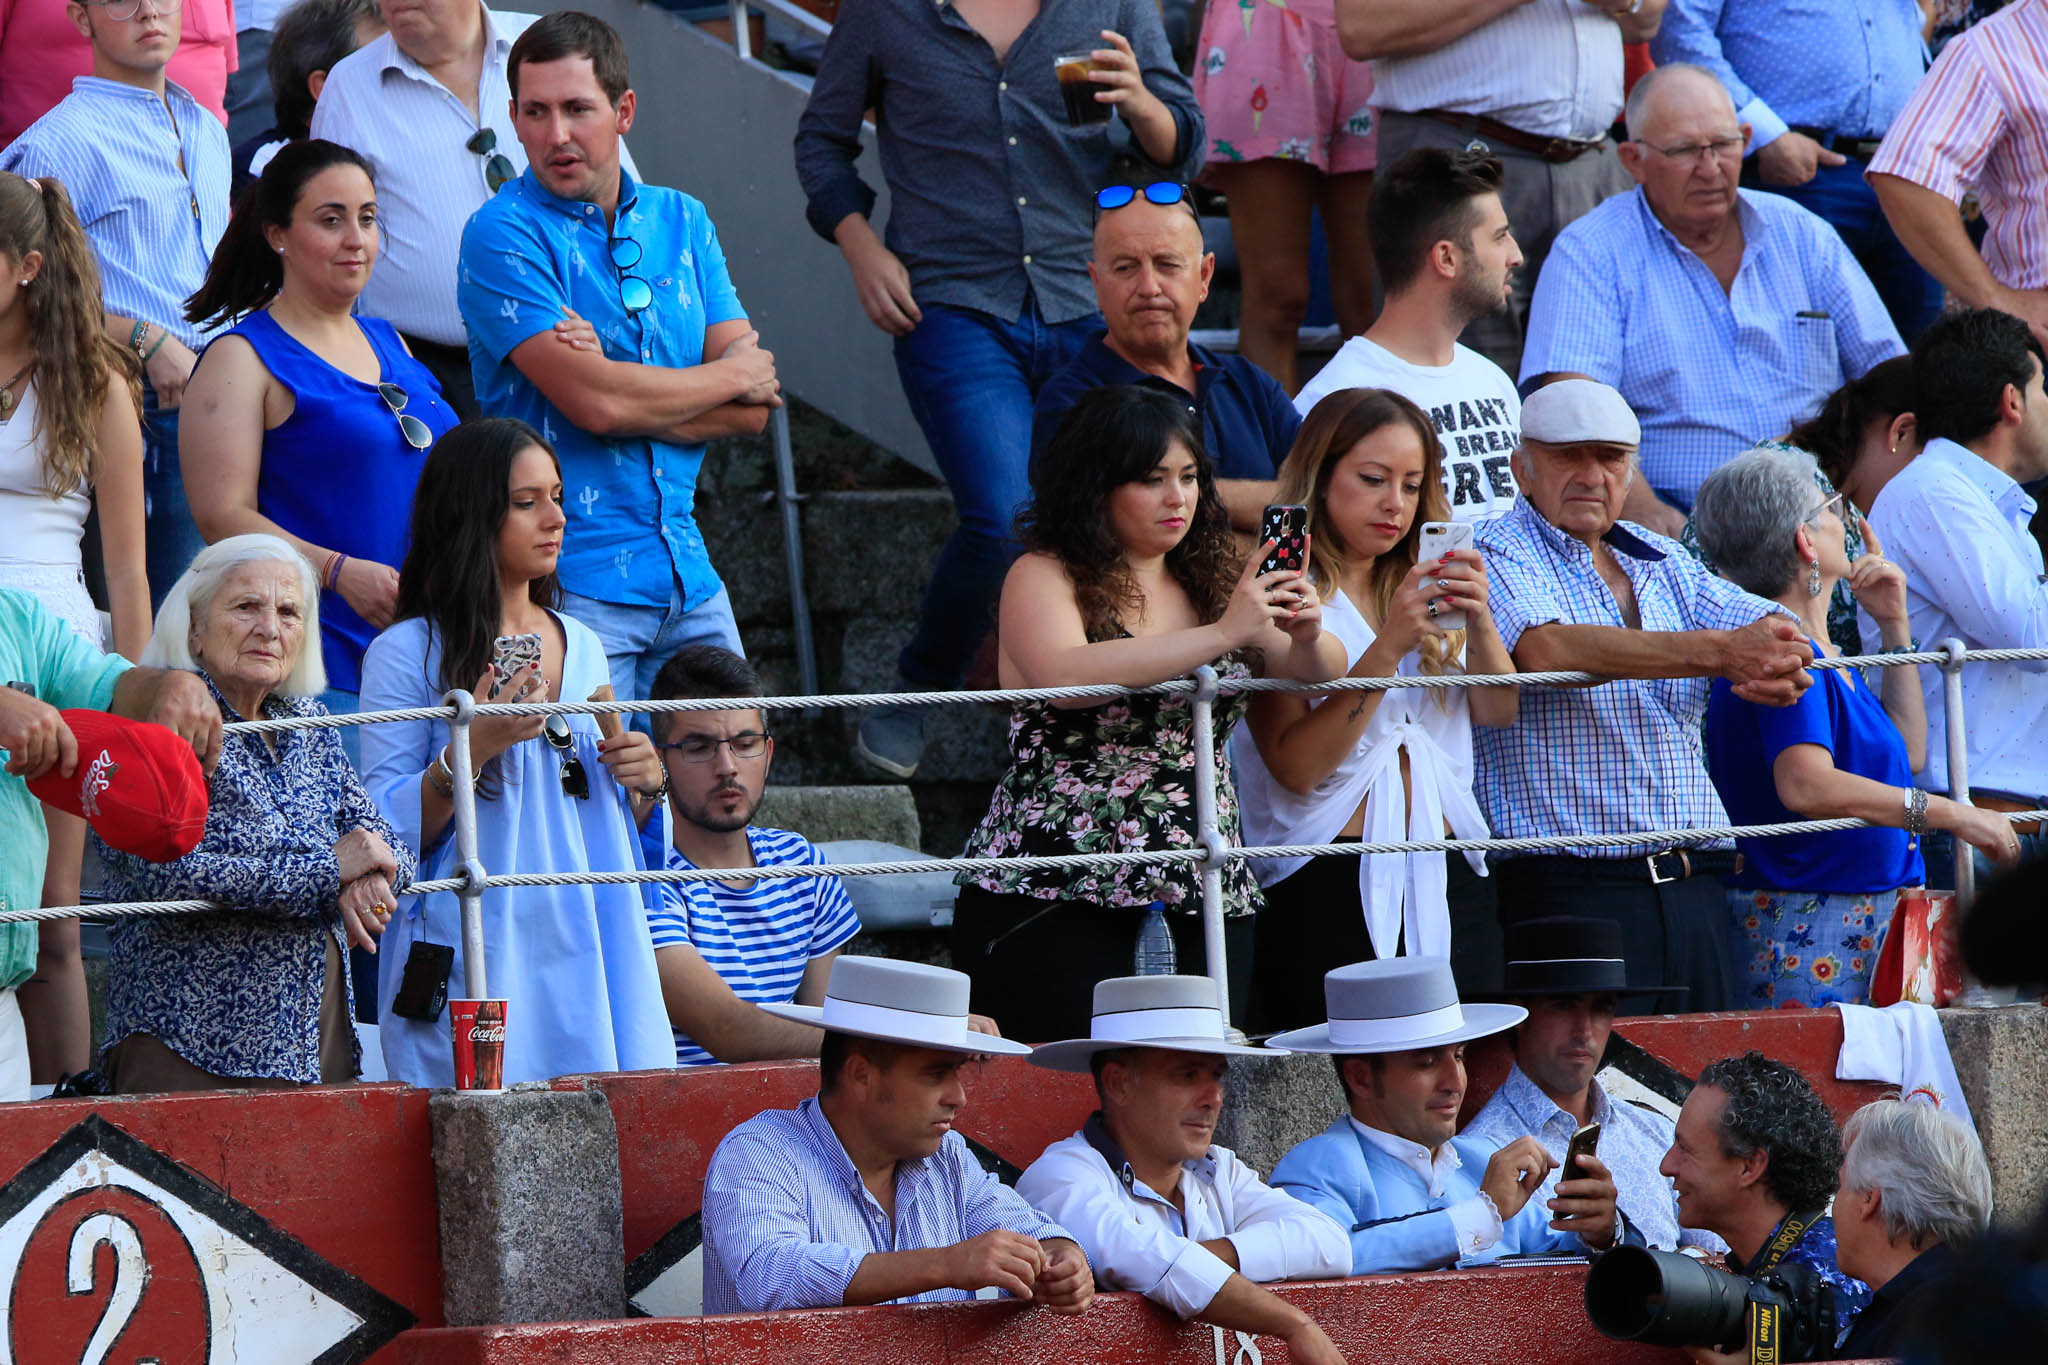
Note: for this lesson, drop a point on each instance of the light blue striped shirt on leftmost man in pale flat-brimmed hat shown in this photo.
(787, 1221)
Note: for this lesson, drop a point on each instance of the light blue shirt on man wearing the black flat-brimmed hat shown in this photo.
(1633, 1143)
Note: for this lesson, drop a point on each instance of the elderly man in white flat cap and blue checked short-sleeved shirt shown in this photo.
(1576, 588)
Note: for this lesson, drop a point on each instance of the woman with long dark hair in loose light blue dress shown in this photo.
(476, 592)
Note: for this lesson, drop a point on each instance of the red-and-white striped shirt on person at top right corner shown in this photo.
(1979, 124)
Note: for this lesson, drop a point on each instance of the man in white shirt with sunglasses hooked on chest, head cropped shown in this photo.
(427, 105)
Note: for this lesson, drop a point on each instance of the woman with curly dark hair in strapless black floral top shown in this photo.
(1127, 578)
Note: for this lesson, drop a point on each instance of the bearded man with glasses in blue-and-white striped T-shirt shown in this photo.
(726, 946)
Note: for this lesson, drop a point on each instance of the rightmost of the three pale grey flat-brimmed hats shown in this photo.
(1396, 1006)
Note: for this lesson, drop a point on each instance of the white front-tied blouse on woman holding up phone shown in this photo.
(1400, 891)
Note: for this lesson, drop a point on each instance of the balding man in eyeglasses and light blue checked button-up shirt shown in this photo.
(1721, 314)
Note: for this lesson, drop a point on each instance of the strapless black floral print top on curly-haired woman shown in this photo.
(1107, 781)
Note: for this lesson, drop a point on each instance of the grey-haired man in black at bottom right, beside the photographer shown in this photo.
(1914, 1186)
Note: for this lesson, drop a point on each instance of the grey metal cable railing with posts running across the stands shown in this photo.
(1211, 854)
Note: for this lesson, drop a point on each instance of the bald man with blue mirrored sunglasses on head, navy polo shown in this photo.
(1150, 275)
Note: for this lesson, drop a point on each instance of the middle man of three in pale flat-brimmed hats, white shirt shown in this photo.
(1154, 1202)
